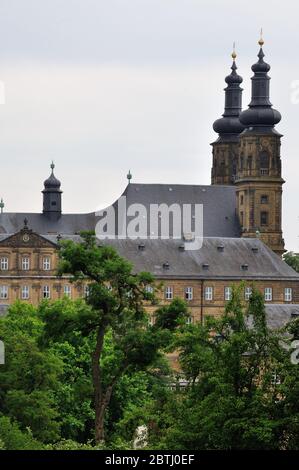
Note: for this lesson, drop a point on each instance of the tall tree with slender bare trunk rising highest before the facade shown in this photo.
(116, 313)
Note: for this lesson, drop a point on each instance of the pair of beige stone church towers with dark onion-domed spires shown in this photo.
(247, 155)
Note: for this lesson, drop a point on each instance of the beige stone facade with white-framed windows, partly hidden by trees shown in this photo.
(36, 278)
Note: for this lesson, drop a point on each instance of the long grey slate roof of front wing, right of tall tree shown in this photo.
(261, 261)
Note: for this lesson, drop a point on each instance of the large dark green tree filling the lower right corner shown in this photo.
(242, 391)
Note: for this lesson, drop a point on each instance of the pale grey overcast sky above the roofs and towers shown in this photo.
(101, 86)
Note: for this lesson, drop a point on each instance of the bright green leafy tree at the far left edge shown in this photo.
(30, 376)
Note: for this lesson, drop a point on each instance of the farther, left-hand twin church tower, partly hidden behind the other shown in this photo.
(226, 147)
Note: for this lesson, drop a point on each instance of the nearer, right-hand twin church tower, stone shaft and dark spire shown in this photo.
(259, 182)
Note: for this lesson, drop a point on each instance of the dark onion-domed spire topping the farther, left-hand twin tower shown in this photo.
(229, 127)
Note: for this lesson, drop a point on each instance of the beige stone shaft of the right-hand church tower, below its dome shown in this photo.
(253, 182)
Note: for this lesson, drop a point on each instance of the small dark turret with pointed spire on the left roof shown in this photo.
(52, 196)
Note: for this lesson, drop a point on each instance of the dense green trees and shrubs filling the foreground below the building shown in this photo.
(242, 390)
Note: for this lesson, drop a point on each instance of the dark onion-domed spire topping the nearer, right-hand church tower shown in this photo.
(260, 114)
